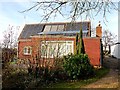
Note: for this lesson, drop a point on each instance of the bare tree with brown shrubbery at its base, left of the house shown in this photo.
(9, 43)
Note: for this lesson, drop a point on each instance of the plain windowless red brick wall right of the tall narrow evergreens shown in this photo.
(92, 49)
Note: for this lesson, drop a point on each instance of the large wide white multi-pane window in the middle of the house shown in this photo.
(56, 48)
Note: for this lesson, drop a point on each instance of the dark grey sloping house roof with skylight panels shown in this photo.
(65, 28)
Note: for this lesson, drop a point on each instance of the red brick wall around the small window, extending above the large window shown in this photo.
(35, 44)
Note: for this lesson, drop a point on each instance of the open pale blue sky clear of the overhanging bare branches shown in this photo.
(10, 15)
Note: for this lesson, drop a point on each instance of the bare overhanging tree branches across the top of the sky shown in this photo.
(73, 9)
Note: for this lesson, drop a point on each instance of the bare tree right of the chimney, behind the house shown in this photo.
(108, 39)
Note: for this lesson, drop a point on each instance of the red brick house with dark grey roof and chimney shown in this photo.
(41, 43)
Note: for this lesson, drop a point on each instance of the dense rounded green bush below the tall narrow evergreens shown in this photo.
(77, 66)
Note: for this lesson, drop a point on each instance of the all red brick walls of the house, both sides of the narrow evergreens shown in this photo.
(92, 47)
